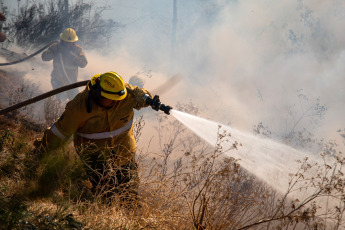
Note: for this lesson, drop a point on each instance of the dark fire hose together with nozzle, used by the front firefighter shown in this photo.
(153, 102)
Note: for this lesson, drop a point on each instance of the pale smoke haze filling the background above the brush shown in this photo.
(243, 62)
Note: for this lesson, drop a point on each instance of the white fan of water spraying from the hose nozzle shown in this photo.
(269, 160)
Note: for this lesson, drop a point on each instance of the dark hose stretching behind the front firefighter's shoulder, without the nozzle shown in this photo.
(43, 96)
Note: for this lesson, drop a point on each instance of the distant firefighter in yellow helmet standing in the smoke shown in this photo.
(67, 57)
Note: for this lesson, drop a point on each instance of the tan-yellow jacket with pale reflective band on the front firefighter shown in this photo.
(109, 131)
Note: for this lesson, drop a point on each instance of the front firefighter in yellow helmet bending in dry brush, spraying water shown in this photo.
(101, 118)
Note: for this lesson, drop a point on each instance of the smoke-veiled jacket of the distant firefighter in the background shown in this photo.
(65, 62)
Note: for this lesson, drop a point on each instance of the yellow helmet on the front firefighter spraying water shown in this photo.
(110, 84)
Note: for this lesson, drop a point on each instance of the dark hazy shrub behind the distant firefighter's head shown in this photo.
(37, 24)
